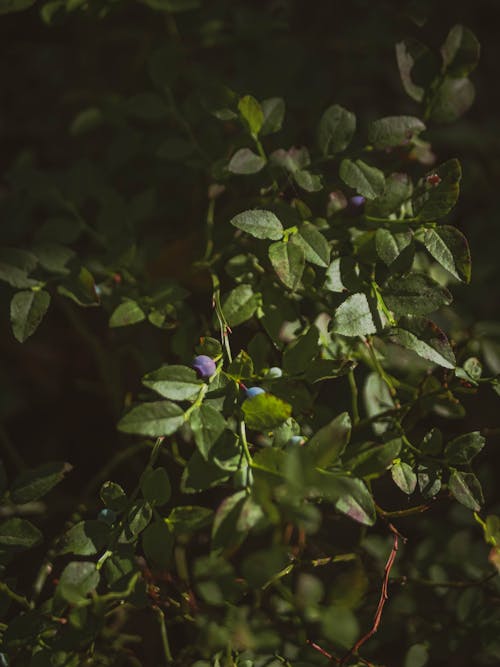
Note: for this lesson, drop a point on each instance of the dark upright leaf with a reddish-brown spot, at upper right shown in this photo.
(437, 193)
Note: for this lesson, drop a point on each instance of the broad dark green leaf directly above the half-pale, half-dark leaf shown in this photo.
(415, 294)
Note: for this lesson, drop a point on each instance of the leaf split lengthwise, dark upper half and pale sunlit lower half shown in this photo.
(425, 339)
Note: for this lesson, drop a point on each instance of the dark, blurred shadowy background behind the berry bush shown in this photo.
(62, 392)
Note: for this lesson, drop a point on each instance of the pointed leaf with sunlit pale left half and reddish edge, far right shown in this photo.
(449, 247)
